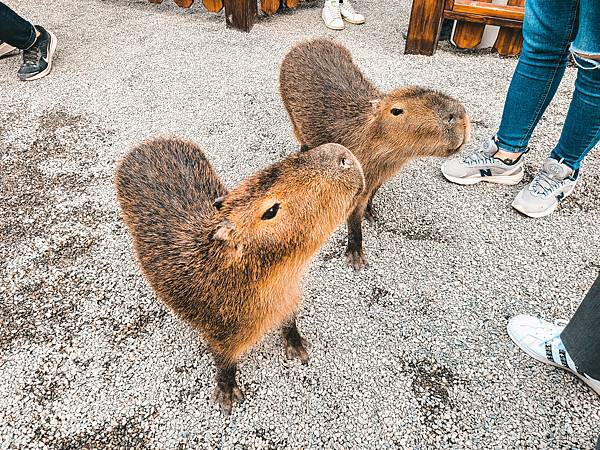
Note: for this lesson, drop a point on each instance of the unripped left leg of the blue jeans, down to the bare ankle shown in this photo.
(548, 29)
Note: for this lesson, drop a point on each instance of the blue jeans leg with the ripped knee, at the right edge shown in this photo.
(581, 130)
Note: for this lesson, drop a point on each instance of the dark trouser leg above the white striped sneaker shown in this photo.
(582, 335)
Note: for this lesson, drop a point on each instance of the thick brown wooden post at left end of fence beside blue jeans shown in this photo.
(424, 27)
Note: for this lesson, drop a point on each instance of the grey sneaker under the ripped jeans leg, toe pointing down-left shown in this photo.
(554, 182)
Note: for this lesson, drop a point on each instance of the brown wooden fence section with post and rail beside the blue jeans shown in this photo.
(427, 16)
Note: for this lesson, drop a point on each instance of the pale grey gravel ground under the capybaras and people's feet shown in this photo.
(410, 353)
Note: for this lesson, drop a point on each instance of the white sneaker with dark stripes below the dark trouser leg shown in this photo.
(541, 340)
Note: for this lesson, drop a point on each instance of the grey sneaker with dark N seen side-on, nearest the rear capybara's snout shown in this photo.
(482, 165)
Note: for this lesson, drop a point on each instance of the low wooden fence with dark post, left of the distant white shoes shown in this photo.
(239, 14)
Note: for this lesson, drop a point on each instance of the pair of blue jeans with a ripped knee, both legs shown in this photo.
(552, 29)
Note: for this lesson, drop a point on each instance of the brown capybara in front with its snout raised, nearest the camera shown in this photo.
(230, 263)
